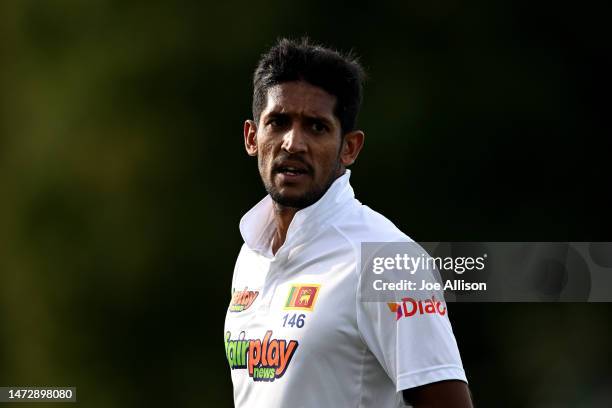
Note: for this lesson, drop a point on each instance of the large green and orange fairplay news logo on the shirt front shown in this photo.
(266, 360)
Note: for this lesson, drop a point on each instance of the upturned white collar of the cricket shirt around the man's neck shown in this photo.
(257, 225)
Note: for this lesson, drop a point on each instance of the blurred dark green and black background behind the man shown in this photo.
(123, 178)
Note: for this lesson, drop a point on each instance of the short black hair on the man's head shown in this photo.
(338, 74)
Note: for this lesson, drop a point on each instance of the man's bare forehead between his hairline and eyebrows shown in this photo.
(300, 98)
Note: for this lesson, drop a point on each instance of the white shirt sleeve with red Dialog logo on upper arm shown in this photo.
(412, 338)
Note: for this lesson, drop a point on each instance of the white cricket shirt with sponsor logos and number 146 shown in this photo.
(296, 333)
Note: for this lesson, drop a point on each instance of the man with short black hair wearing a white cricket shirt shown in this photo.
(296, 332)
